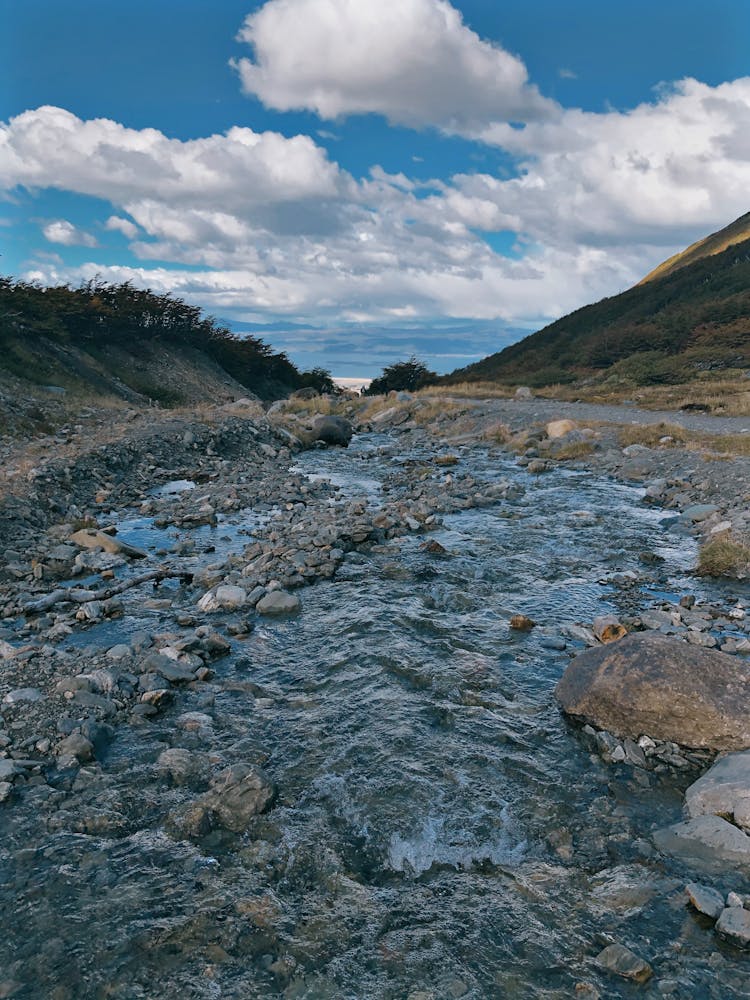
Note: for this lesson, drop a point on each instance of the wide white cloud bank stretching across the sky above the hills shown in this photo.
(256, 225)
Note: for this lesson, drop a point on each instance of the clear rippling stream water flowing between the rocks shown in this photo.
(440, 831)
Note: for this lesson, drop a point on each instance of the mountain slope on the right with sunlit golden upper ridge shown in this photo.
(689, 315)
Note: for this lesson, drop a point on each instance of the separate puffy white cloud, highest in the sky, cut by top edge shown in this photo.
(413, 61)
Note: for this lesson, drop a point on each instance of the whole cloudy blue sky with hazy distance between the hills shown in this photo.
(357, 181)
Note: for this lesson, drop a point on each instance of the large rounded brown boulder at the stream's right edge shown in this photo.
(648, 684)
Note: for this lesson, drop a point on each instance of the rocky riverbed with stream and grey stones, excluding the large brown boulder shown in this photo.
(280, 720)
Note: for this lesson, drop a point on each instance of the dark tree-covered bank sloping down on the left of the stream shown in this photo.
(117, 340)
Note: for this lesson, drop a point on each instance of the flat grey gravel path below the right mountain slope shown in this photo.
(530, 410)
